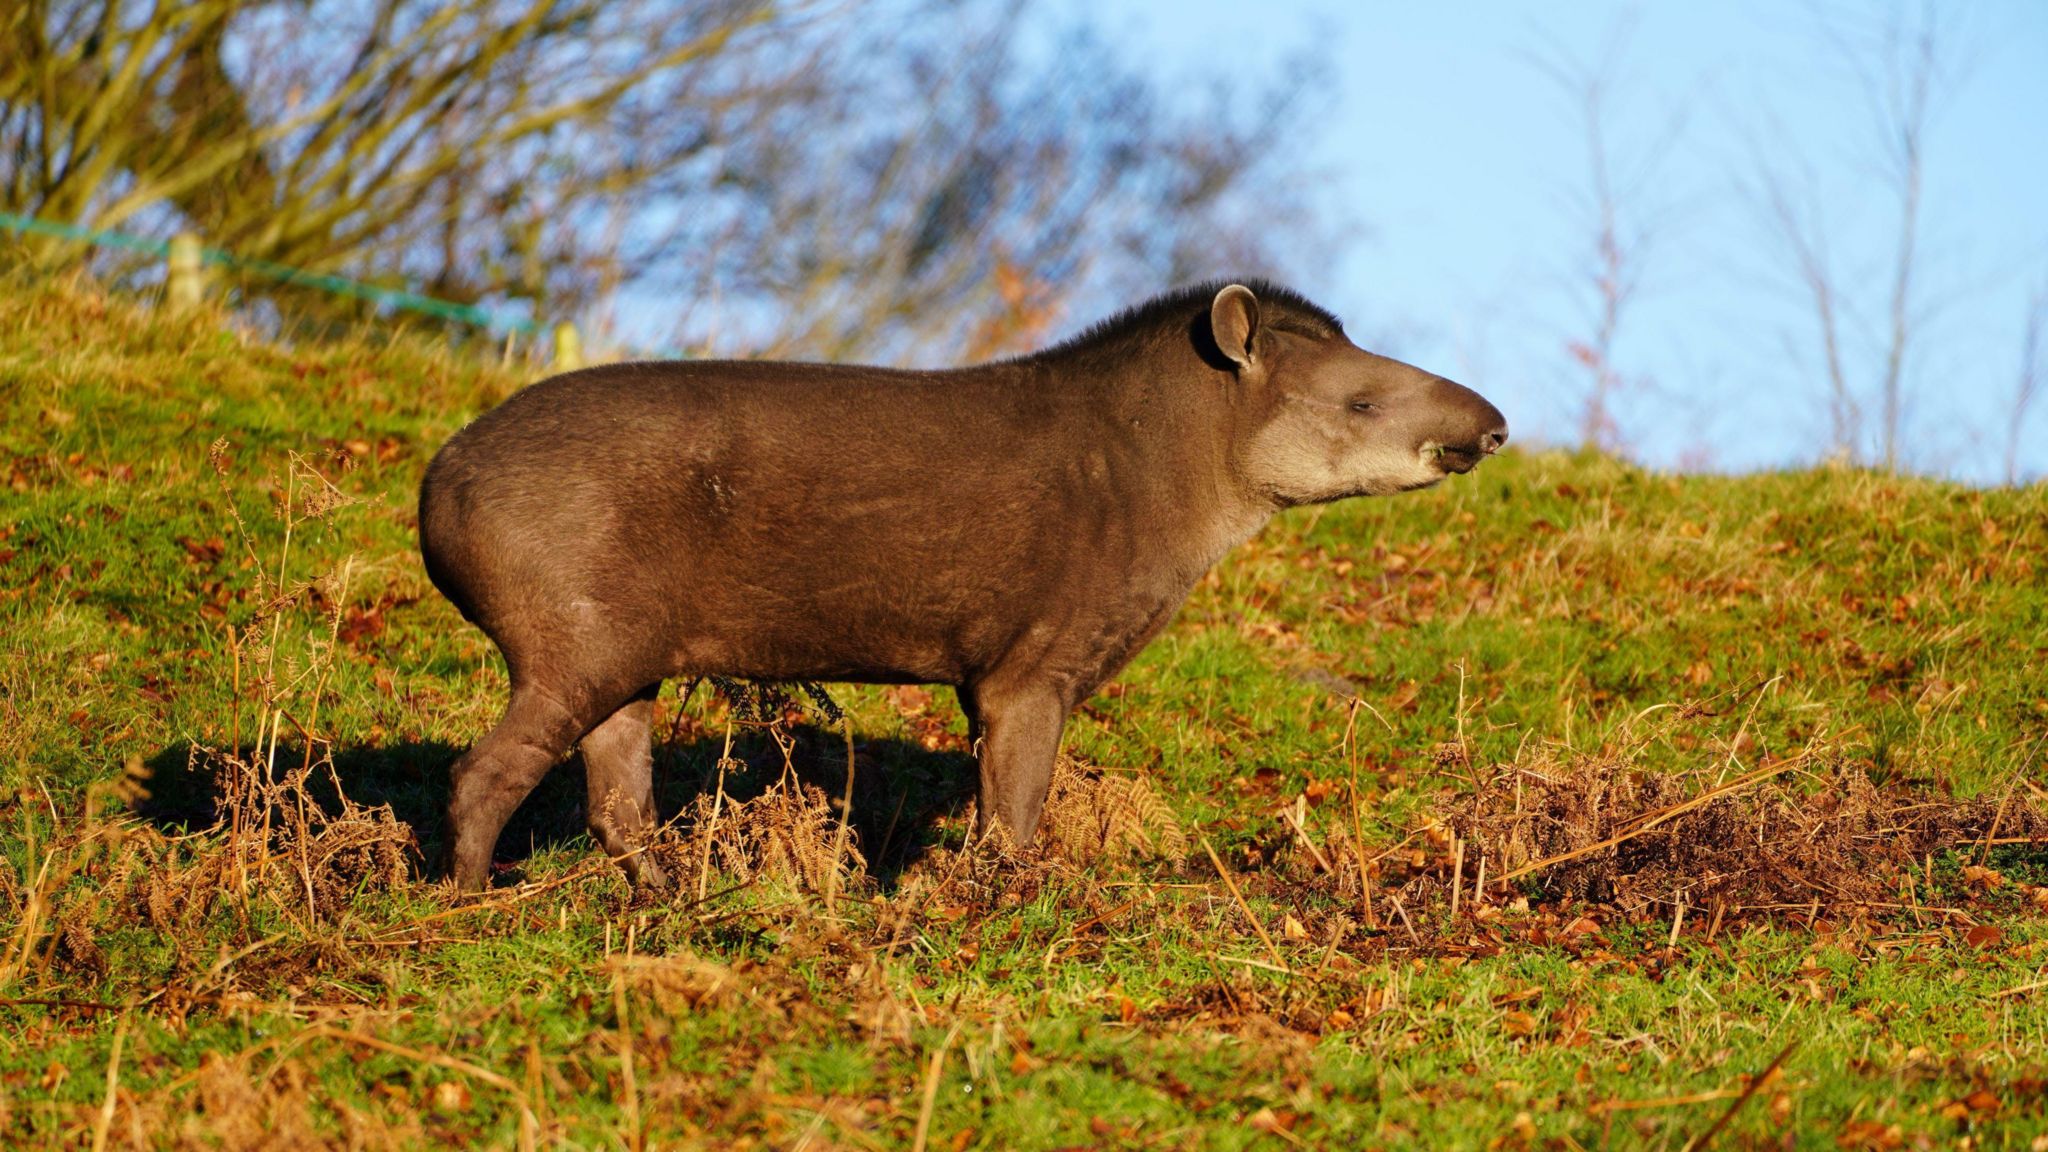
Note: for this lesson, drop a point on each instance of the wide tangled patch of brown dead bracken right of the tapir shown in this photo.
(1799, 837)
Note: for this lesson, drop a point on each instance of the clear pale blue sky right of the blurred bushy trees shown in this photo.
(1457, 163)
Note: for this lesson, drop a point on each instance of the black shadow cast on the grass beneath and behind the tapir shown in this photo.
(906, 796)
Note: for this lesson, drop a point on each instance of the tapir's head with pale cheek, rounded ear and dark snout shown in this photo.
(1326, 419)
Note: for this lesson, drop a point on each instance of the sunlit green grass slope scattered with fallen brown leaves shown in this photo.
(278, 981)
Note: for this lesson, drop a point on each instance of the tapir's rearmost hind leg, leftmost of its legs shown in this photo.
(495, 778)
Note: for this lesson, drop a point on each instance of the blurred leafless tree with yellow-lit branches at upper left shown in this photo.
(421, 140)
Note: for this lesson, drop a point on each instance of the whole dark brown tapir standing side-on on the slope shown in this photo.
(1015, 530)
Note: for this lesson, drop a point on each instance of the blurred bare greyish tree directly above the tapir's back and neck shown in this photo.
(974, 198)
